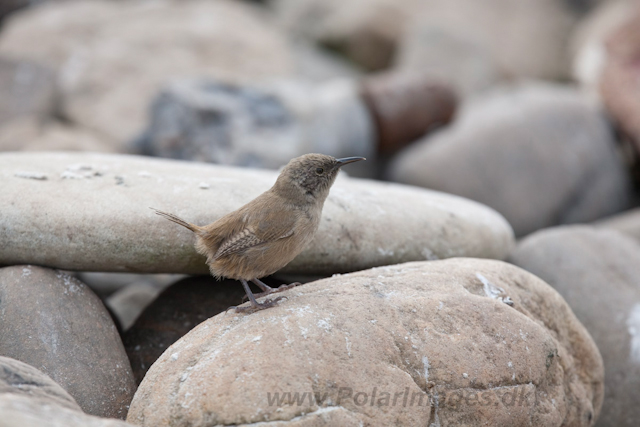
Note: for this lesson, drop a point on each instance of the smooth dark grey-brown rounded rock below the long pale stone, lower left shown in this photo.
(52, 321)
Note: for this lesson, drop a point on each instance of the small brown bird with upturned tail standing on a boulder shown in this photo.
(267, 233)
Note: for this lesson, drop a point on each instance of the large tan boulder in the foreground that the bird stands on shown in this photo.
(434, 340)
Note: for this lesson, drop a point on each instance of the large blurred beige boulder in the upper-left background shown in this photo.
(129, 49)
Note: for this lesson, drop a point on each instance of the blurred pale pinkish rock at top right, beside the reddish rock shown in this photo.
(588, 48)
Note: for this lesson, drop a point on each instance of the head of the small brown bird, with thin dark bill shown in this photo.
(310, 177)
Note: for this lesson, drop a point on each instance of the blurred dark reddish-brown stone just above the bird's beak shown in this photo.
(406, 106)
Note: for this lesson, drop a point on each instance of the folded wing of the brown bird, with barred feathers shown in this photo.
(264, 226)
